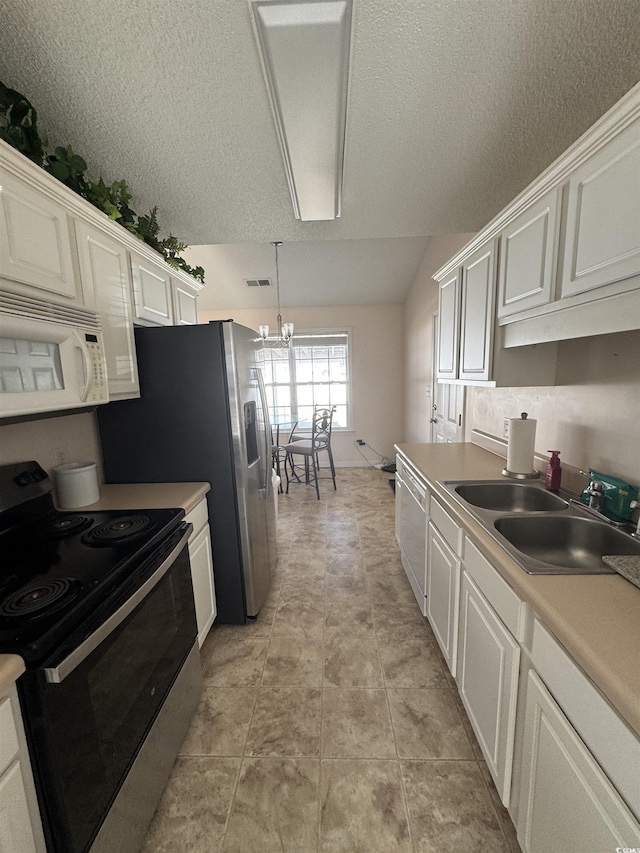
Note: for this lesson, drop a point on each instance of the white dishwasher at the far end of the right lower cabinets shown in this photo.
(412, 499)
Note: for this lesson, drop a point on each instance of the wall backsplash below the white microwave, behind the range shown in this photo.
(39, 440)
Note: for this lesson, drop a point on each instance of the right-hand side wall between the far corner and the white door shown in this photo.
(419, 307)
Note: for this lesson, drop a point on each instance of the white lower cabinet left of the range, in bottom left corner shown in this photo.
(20, 827)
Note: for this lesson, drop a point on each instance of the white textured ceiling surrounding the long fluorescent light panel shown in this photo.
(455, 106)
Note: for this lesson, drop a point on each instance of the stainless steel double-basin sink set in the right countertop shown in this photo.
(543, 532)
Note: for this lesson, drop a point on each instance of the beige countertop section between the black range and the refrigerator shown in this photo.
(150, 496)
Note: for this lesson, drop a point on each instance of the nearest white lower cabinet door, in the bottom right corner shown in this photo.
(566, 801)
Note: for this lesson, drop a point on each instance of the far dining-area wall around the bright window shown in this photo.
(377, 368)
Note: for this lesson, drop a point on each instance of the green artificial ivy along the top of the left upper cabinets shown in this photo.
(19, 127)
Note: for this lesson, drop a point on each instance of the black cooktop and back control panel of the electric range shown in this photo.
(56, 568)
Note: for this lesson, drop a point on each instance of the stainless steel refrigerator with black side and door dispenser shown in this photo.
(203, 415)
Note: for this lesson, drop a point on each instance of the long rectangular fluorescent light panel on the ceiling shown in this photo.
(304, 47)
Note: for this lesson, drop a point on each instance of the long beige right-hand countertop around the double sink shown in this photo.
(596, 618)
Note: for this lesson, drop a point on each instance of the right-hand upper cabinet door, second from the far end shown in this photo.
(476, 313)
